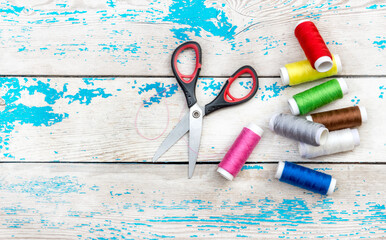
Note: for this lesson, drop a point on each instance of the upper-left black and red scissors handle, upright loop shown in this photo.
(188, 82)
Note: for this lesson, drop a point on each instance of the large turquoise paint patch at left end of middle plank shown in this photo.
(17, 113)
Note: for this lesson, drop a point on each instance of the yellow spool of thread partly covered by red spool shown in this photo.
(301, 72)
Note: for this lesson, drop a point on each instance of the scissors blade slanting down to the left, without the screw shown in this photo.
(179, 130)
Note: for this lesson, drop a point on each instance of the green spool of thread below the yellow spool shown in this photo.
(318, 96)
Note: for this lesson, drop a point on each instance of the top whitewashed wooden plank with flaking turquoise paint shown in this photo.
(82, 37)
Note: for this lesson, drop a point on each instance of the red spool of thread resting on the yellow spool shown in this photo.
(313, 46)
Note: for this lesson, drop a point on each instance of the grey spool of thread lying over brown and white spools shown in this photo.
(299, 129)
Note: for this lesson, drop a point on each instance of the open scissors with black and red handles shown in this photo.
(192, 121)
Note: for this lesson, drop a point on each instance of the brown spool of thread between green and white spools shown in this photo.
(340, 118)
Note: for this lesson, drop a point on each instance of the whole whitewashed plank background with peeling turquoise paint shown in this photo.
(87, 95)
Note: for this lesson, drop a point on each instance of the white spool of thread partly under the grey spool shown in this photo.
(338, 141)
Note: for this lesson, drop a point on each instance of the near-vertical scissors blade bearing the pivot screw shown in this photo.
(195, 128)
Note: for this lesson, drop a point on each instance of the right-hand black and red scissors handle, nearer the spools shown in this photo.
(225, 98)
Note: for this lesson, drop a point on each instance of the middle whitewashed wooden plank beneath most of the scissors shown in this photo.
(115, 119)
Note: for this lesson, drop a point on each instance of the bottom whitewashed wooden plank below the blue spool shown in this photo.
(136, 201)
